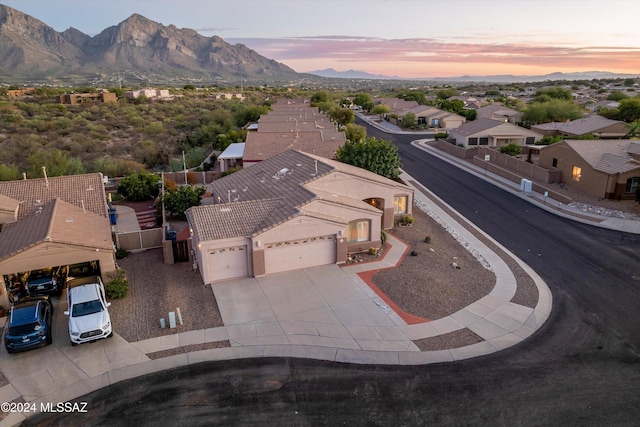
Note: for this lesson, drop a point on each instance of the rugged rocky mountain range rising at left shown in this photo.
(136, 49)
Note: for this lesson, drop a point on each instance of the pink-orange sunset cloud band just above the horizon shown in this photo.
(370, 53)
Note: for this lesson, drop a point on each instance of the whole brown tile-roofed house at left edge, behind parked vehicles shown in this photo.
(54, 222)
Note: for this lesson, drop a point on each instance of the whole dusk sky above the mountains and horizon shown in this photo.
(405, 38)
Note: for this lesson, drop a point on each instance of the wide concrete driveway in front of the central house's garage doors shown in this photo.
(324, 306)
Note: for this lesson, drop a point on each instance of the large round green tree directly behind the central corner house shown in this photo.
(376, 155)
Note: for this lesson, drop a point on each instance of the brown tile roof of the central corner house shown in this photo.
(270, 193)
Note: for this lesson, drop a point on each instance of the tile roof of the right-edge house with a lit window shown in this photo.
(608, 156)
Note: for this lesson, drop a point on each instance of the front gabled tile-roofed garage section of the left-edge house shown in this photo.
(58, 234)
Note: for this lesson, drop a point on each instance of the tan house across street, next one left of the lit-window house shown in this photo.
(492, 133)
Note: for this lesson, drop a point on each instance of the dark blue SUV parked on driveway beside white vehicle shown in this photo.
(29, 324)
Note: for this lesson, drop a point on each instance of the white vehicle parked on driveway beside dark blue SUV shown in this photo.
(88, 316)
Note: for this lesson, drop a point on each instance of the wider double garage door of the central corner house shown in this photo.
(297, 254)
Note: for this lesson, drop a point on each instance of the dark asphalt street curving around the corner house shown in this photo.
(581, 368)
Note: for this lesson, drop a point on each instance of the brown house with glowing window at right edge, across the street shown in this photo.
(609, 169)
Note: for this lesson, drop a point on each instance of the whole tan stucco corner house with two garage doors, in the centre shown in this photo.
(292, 211)
